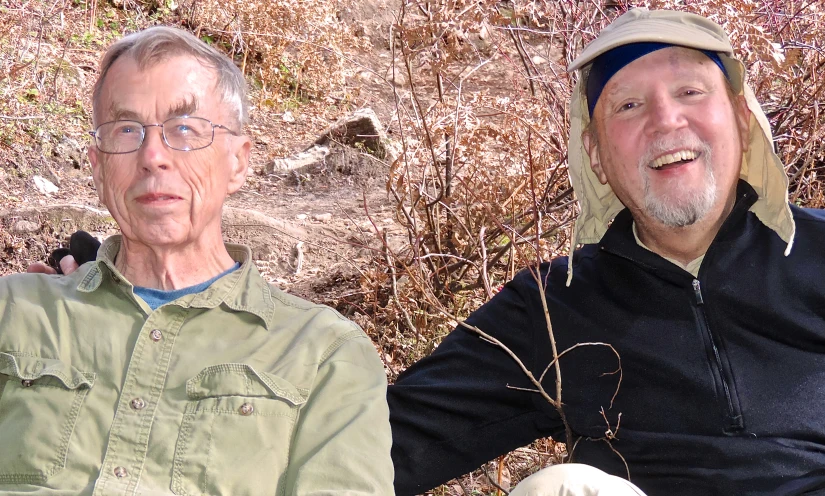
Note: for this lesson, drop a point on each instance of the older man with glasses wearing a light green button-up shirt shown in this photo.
(168, 365)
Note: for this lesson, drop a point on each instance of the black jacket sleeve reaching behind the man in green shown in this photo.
(453, 410)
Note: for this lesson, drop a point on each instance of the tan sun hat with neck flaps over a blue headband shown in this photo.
(761, 167)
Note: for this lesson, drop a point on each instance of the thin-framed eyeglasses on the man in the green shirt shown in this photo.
(179, 133)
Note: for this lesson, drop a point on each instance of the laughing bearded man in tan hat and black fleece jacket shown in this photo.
(693, 267)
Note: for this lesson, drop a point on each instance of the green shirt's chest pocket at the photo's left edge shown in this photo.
(40, 400)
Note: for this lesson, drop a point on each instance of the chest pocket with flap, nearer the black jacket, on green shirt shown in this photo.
(236, 432)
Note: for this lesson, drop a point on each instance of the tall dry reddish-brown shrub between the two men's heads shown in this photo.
(481, 187)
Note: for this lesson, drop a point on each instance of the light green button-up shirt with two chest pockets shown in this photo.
(238, 390)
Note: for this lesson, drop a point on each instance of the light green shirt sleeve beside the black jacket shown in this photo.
(341, 445)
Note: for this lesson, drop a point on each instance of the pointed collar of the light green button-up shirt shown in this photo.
(243, 290)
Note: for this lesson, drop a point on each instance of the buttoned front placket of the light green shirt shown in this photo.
(143, 385)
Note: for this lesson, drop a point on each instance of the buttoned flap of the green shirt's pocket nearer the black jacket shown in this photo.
(237, 379)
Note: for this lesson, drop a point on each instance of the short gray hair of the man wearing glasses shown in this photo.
(159, 43)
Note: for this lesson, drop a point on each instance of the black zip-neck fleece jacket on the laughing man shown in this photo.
(722, 376)
